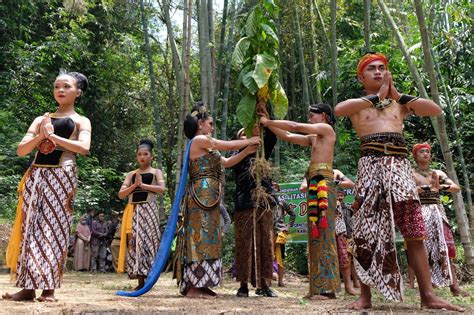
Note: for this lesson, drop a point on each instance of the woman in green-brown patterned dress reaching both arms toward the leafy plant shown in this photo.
(199, 247)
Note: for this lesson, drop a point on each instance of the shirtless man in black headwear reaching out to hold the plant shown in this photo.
(319, 134)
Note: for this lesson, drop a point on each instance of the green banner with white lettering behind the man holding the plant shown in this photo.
(290, 192)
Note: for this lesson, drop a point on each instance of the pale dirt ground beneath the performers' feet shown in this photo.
(86, 293)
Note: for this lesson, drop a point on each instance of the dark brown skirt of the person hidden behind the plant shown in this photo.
(244, 249)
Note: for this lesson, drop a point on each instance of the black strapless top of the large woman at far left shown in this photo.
(64, 128)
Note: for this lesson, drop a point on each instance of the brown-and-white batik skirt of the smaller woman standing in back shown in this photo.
(144, 241)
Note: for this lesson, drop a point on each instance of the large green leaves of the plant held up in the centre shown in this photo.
(256, 58)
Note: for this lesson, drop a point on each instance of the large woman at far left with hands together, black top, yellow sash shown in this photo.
(37, 249)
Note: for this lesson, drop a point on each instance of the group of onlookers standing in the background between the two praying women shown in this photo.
(95, 244)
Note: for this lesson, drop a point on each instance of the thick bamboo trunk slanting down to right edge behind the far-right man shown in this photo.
(461, 217)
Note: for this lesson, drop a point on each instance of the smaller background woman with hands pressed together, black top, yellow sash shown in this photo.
(140, 234)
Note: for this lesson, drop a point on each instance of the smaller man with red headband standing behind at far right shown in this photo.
(439, 242)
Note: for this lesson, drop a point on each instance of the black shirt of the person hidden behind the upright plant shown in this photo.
(243, 180)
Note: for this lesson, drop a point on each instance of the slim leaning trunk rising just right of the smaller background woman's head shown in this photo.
(154, 97)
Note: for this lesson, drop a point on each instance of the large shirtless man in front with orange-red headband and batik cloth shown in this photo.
(386, 194)
